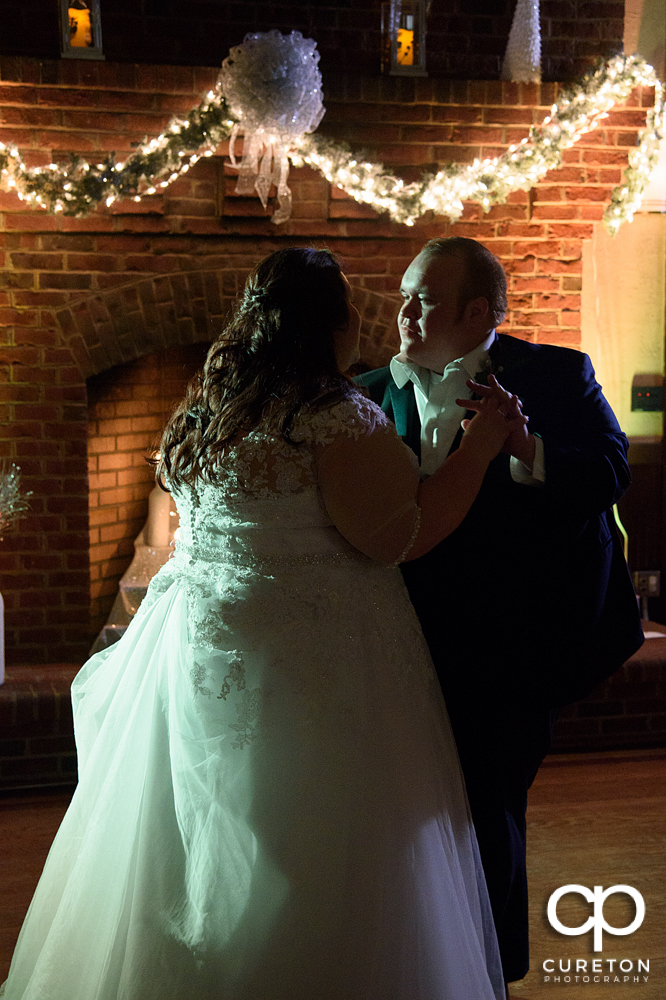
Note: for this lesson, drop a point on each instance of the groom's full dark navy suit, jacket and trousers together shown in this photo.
(527, 604)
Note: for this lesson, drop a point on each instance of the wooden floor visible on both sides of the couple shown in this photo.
(593, 820)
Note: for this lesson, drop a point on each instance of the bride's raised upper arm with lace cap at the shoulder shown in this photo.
(368, 480)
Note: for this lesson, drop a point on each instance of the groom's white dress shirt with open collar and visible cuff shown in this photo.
(440, 415)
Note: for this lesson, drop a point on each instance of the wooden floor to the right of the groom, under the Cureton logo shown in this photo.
(598, 820)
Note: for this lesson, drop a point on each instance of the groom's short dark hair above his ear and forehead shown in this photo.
(484, 275)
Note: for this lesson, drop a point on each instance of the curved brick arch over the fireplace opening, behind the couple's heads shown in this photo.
(123, 324)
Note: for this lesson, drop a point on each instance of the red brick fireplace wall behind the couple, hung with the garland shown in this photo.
(81, 296)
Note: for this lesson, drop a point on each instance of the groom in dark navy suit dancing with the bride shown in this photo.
(528, 604)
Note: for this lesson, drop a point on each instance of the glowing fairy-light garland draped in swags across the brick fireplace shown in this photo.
(78, 187)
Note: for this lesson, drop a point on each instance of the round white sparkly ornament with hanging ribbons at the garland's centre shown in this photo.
(272, 84)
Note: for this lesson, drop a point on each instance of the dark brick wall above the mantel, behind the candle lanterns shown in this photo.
(466, 38)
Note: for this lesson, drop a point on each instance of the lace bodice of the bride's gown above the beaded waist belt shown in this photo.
(267, 502)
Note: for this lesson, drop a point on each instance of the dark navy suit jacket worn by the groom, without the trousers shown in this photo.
(530, 598)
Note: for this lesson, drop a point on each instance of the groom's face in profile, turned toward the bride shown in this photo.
(434, 330)
